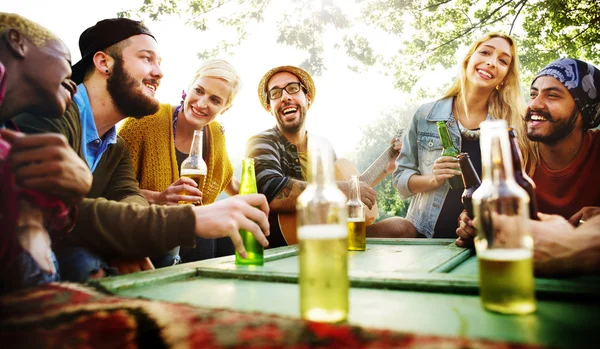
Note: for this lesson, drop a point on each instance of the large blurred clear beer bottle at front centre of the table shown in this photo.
(323, 240)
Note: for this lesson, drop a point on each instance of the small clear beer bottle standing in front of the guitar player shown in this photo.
(357, 229)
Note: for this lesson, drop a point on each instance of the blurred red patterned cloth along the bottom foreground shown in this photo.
(73, 316)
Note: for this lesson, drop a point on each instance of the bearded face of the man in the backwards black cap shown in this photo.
(135, 76)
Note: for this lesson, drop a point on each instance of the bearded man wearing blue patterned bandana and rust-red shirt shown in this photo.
(563, 109)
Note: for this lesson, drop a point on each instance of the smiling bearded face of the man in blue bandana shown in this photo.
(551, 113)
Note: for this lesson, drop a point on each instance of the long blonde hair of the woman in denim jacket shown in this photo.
(506, 102)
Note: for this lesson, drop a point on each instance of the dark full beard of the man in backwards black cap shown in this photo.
(123, 89)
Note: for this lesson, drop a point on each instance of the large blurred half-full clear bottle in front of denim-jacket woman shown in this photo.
(504, 245)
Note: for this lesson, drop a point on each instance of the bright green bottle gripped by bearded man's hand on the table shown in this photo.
(253, 248)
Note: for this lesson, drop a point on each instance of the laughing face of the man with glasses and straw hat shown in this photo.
(289, 109)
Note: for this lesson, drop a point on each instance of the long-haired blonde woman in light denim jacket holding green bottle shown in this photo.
(486, 88)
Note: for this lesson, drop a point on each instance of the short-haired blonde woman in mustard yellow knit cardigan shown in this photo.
(159, 143)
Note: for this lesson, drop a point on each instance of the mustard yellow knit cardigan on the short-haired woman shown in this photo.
(151, 144)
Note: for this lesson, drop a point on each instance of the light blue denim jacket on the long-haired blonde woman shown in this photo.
(421, 145)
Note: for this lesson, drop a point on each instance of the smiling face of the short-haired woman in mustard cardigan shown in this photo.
(206, 99)
